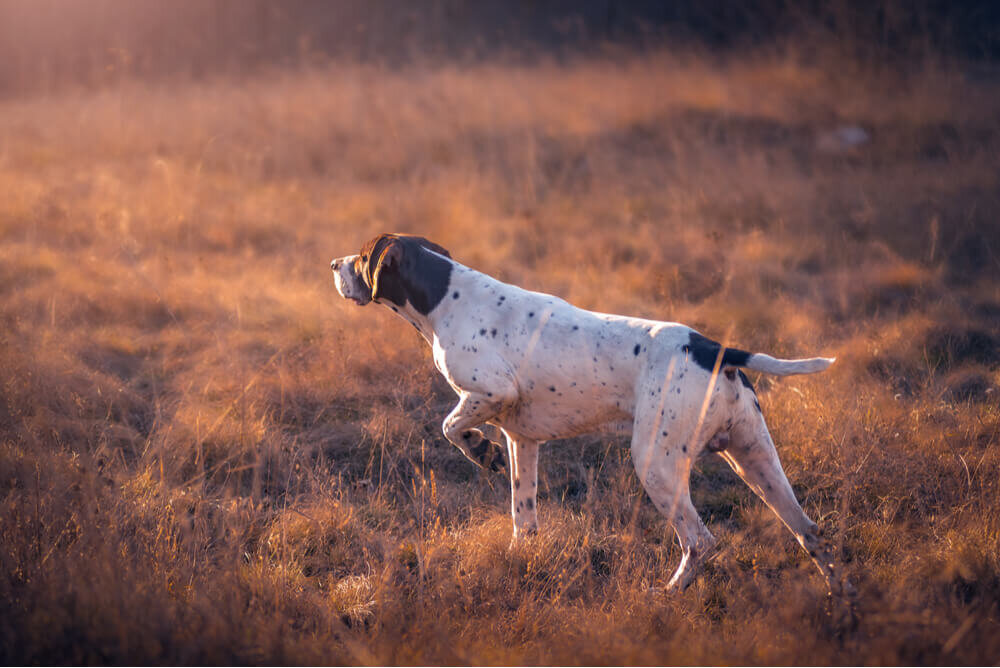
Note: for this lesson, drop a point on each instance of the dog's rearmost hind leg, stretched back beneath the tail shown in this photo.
(752, 455)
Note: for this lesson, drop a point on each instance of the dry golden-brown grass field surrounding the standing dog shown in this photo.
(207, 456)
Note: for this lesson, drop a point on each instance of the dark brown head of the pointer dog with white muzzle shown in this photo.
(398, 268)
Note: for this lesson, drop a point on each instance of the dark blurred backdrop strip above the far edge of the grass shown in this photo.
(48, 43)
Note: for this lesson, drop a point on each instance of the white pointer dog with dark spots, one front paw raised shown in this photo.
(540, 368)
